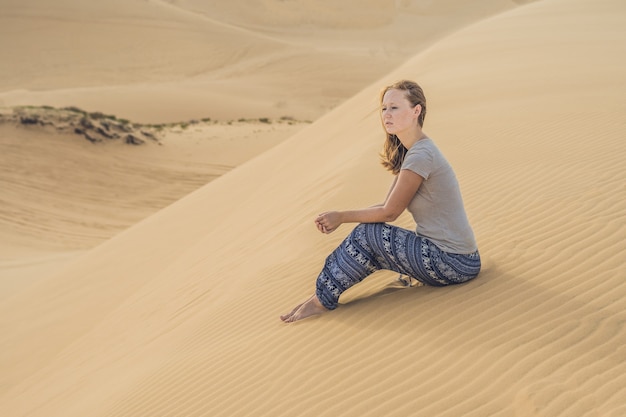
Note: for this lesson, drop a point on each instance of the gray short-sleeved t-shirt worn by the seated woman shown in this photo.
(437, 207)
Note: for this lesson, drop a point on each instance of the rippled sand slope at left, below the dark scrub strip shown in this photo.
(62, 195)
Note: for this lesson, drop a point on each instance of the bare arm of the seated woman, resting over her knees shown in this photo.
(402, 191)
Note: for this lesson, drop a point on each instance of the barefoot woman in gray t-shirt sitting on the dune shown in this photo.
(441, 251)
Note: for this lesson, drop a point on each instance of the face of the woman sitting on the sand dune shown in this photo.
(397, 113)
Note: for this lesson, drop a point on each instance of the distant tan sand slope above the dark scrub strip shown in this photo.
(167, 61)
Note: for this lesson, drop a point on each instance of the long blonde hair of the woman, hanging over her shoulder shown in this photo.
(394, 151)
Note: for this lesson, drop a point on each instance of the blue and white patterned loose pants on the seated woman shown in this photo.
(373, 246)
